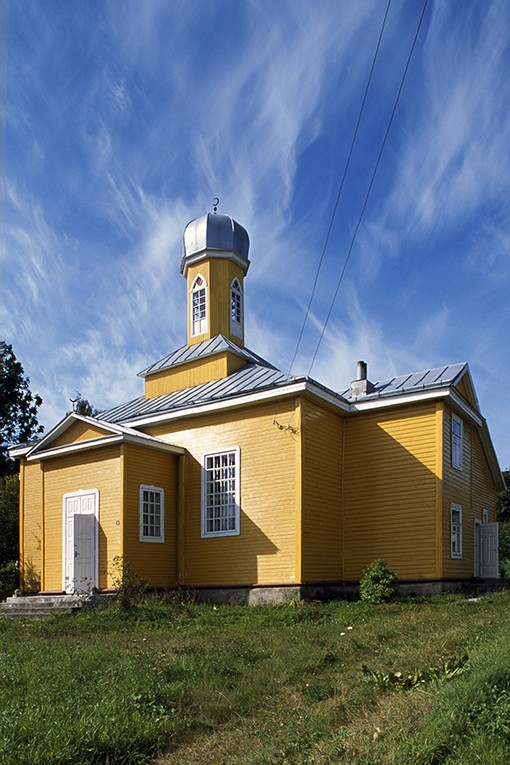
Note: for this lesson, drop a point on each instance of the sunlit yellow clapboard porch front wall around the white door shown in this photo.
(94, 469)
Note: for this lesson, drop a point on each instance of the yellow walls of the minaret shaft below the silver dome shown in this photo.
(219, 274)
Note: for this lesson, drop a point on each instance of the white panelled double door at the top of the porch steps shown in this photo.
(81, 525)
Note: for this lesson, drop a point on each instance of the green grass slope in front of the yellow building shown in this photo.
(196, 683)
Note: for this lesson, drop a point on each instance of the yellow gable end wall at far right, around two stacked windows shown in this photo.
(473, 489)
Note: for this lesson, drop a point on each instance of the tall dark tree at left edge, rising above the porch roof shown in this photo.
(18, 408)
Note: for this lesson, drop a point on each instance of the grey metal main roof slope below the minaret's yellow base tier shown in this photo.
(249, 379)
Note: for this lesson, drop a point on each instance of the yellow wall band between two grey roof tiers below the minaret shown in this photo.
(193, 373)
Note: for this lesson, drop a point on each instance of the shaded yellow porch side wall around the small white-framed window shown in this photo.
(154, 561)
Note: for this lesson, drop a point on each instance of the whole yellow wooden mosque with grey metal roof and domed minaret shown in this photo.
(252, 485)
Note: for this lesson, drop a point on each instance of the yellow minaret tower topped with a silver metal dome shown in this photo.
(215, 262)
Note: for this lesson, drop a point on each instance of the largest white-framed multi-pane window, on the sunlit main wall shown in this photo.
(221, 493)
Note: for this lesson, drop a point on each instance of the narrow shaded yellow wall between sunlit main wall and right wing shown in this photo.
(322, 501)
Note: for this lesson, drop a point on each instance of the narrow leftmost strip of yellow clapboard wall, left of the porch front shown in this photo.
(30, 526)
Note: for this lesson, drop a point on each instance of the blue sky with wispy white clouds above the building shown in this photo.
(124, 119)
